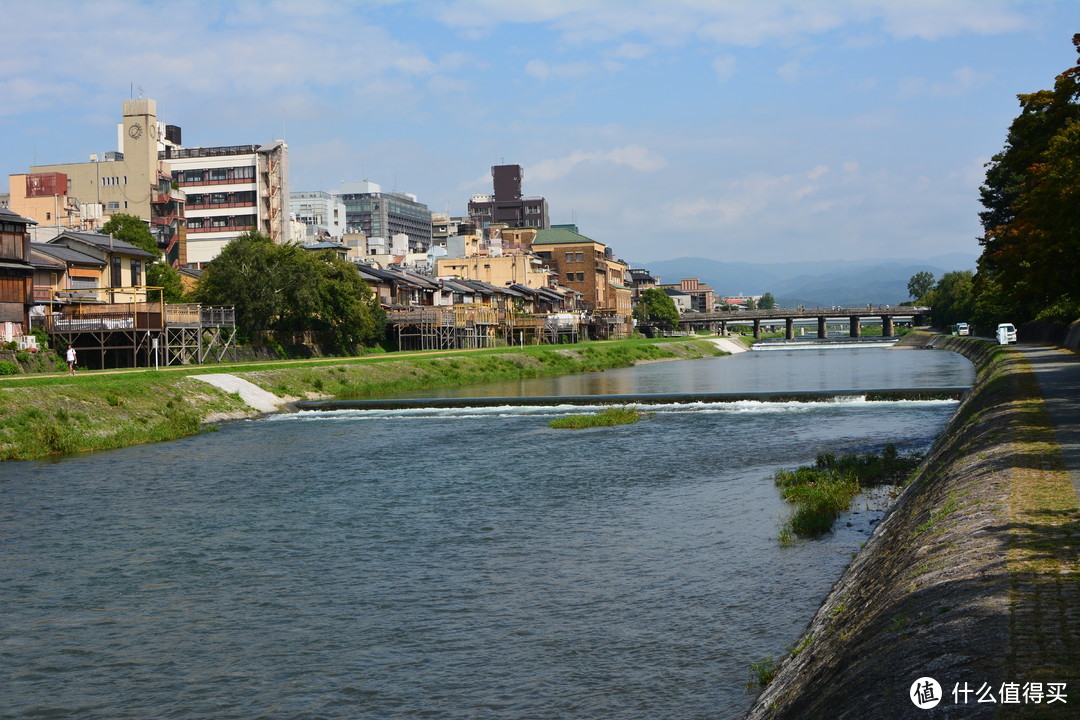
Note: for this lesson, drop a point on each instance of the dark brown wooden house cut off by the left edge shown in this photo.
(17, 276)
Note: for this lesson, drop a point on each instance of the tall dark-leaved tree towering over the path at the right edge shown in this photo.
(1032, 223)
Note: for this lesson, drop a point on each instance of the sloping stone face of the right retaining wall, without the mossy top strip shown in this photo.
(929, 594)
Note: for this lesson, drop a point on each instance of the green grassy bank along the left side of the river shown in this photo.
(43, 416)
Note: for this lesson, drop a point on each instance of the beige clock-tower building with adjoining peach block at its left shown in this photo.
(134, 180)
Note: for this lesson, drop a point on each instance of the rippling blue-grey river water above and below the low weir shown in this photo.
(443, 564)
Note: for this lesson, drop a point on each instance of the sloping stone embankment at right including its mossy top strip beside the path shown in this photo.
(970, 579)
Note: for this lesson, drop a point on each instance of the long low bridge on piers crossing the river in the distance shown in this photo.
(887, 315)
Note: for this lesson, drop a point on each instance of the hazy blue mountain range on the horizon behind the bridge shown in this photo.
(822, 283)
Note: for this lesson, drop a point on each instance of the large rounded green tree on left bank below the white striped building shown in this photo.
(286, 288)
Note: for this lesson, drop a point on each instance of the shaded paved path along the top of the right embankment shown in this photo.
(1058, 373)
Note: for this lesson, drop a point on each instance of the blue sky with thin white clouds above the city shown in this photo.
(736, 130)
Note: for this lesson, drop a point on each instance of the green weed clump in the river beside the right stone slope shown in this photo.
(823, 491)
